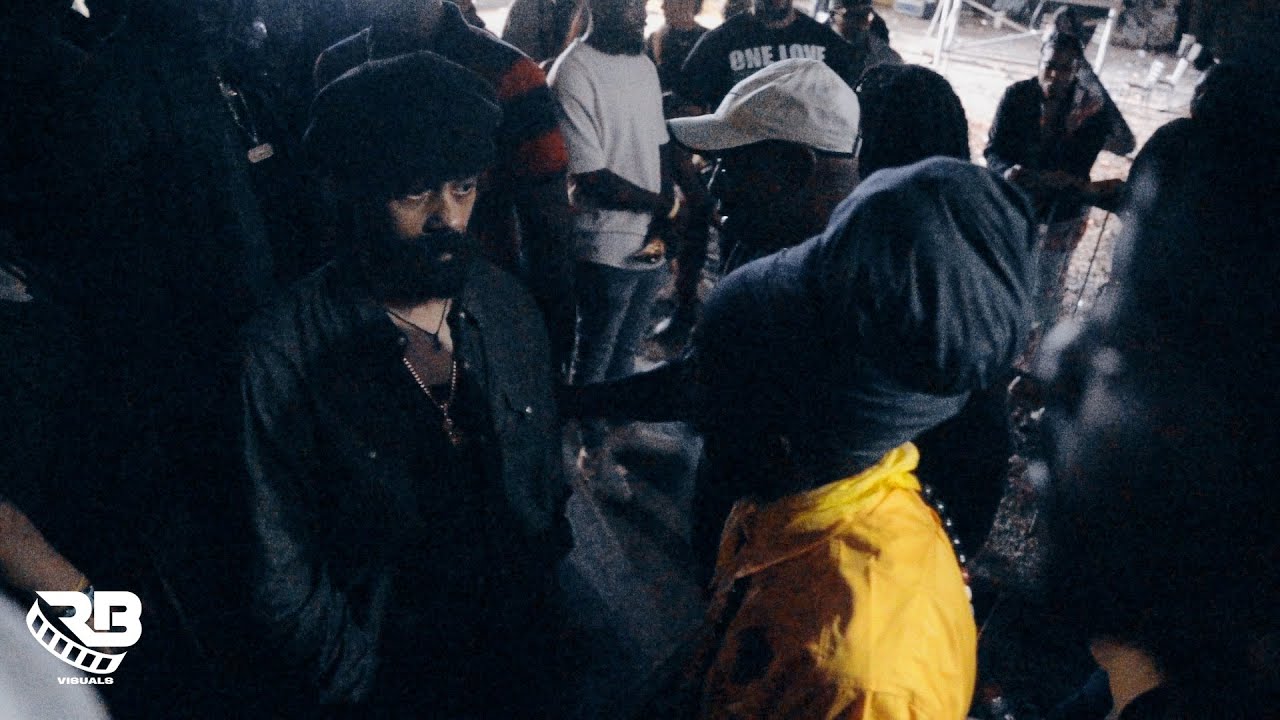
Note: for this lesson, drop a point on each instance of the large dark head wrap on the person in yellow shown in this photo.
(861, 339)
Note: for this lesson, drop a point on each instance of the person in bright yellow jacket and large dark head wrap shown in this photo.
(838, 590)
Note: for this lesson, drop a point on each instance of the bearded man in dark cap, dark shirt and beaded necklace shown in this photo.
(400, 430)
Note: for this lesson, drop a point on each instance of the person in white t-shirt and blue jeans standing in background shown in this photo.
(611, 107)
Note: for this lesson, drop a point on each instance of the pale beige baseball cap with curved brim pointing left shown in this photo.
(797, 101)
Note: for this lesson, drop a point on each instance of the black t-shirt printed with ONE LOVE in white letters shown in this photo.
(743, 45)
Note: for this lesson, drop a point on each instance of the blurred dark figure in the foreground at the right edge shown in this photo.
(1162, 425)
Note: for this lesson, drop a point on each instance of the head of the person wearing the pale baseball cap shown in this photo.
(783, 142)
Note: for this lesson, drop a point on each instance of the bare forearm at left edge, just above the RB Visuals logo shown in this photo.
(28, 562)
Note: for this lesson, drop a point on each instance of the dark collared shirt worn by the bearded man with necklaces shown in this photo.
(365, 518)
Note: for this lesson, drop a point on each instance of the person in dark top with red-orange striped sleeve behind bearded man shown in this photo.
(523, 217)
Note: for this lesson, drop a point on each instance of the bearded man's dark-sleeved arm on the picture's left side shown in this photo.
(304, 614)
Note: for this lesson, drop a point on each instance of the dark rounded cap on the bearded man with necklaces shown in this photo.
(388, 127)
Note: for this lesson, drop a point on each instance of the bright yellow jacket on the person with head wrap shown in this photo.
(845, 601)
